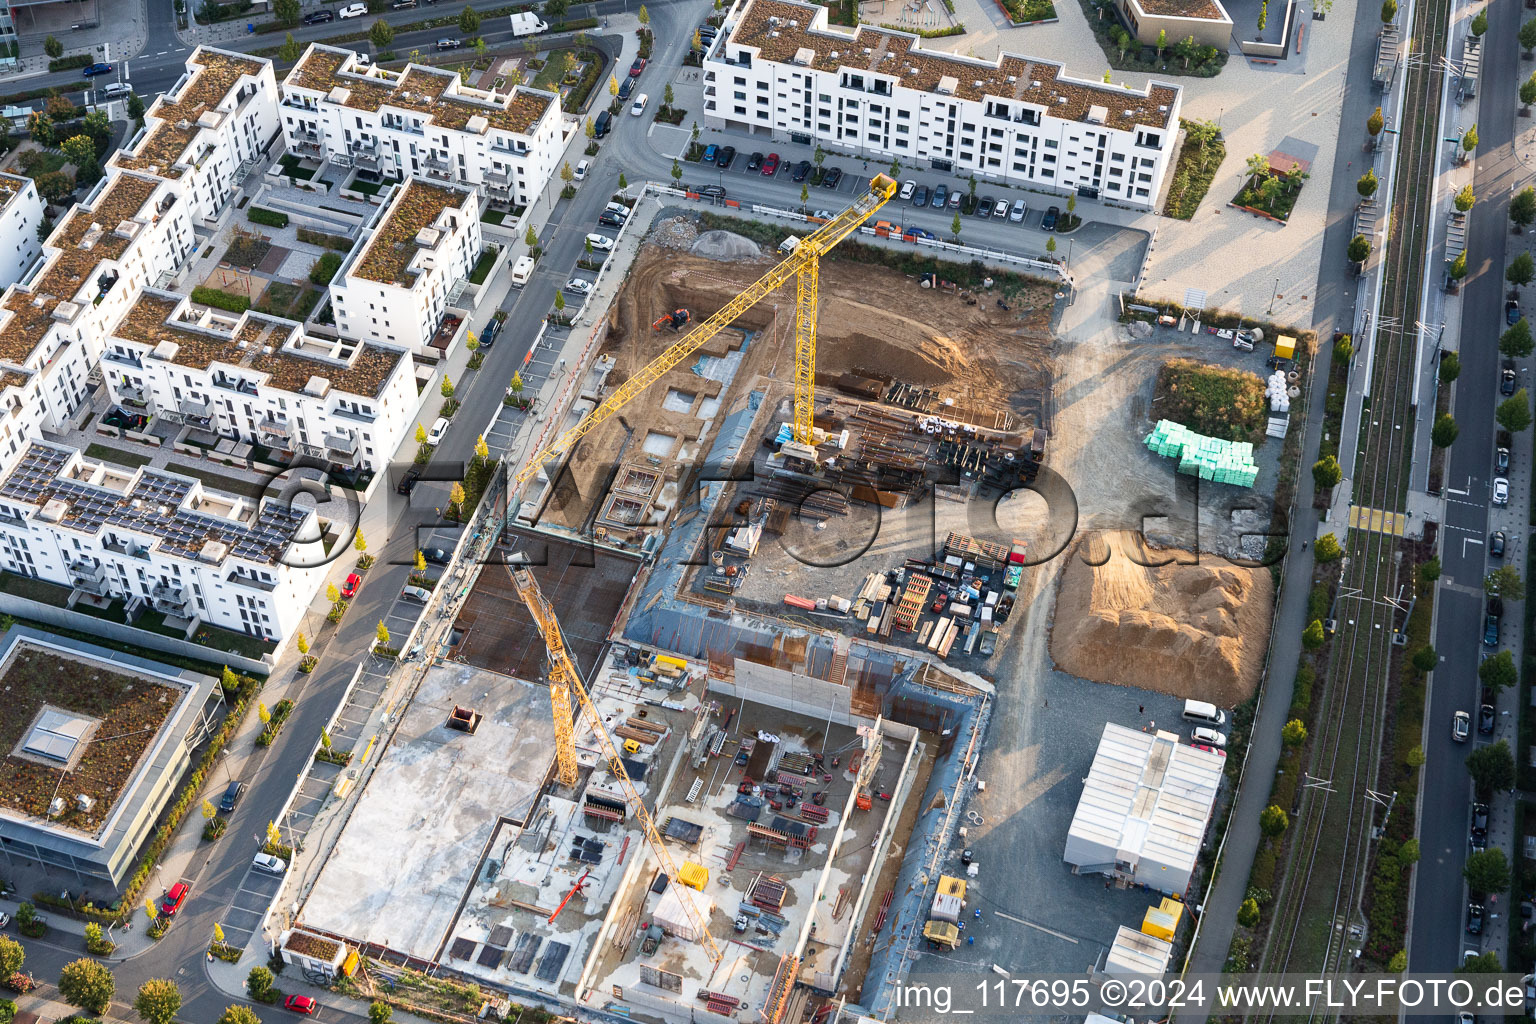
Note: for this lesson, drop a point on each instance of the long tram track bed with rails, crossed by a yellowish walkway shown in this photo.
(1317, 914)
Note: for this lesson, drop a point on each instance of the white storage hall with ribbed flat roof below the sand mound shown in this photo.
(1145, 810)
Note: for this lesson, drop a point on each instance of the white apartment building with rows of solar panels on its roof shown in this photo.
(156, 538)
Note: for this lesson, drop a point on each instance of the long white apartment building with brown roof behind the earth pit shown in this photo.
(778, 70)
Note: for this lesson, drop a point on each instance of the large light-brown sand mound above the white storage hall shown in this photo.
(1196, 632)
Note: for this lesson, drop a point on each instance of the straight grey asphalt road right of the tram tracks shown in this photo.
(1438, 917)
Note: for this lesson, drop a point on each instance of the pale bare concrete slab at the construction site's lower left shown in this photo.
(414, 844)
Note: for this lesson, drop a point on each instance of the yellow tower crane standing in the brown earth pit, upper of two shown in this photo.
(803, 265)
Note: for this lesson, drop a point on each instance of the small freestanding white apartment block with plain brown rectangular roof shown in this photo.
(396, 285)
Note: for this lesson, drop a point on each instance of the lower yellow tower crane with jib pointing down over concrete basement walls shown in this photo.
(564, 681)
